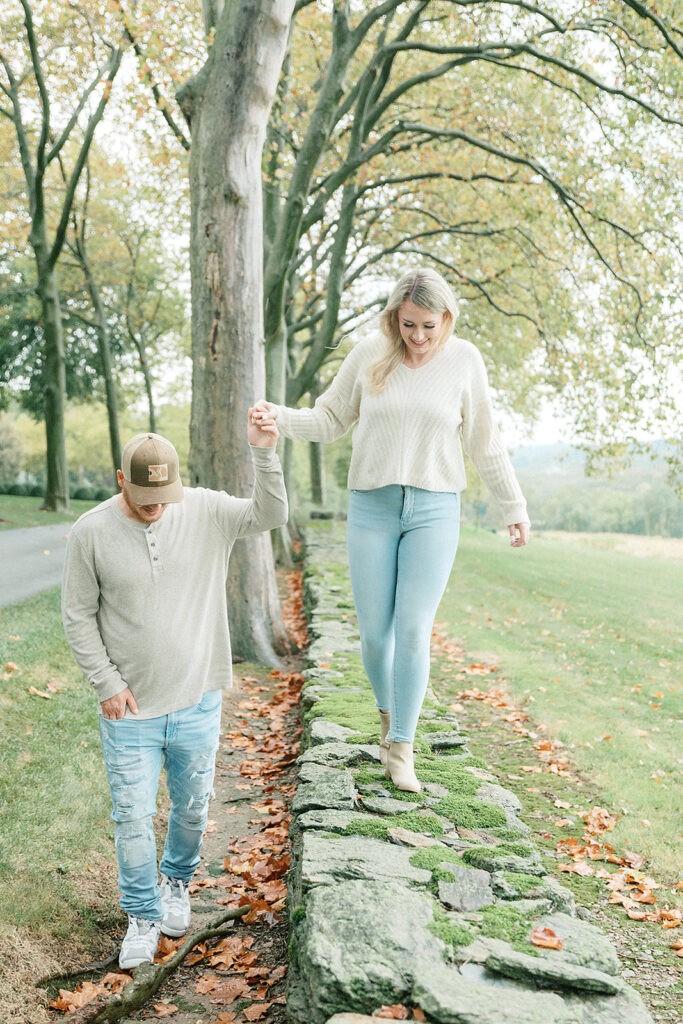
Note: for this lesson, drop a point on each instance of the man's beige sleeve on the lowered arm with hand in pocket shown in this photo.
(80, 603)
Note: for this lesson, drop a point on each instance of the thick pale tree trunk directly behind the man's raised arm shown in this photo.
(228, 107)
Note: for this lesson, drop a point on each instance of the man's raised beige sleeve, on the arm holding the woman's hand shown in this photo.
(267, 508)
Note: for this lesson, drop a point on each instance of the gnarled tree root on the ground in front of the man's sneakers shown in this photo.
(148, 978)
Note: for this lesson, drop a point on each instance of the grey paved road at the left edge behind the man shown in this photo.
(31, 561)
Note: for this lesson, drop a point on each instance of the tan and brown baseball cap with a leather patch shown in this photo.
(150, 466)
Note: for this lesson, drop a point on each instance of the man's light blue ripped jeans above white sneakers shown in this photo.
(186, 742)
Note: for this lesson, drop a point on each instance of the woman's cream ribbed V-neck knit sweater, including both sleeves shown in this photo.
(411, 433)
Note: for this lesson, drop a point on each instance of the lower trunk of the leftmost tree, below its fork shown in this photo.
(57, 489)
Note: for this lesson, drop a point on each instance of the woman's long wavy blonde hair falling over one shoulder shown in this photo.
(425, 288)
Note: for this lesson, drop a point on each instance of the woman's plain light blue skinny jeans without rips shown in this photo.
(402, 544)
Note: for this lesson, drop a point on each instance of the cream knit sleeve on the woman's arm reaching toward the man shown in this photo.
(335, 412)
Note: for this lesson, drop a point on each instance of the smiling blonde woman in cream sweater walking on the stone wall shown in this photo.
(413, 394)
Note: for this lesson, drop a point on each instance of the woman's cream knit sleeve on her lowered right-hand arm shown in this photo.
(486, 448)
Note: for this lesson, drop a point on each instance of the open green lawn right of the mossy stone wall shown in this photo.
(593, 642)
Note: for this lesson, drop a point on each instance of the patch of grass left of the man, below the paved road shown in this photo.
(56, 833)
